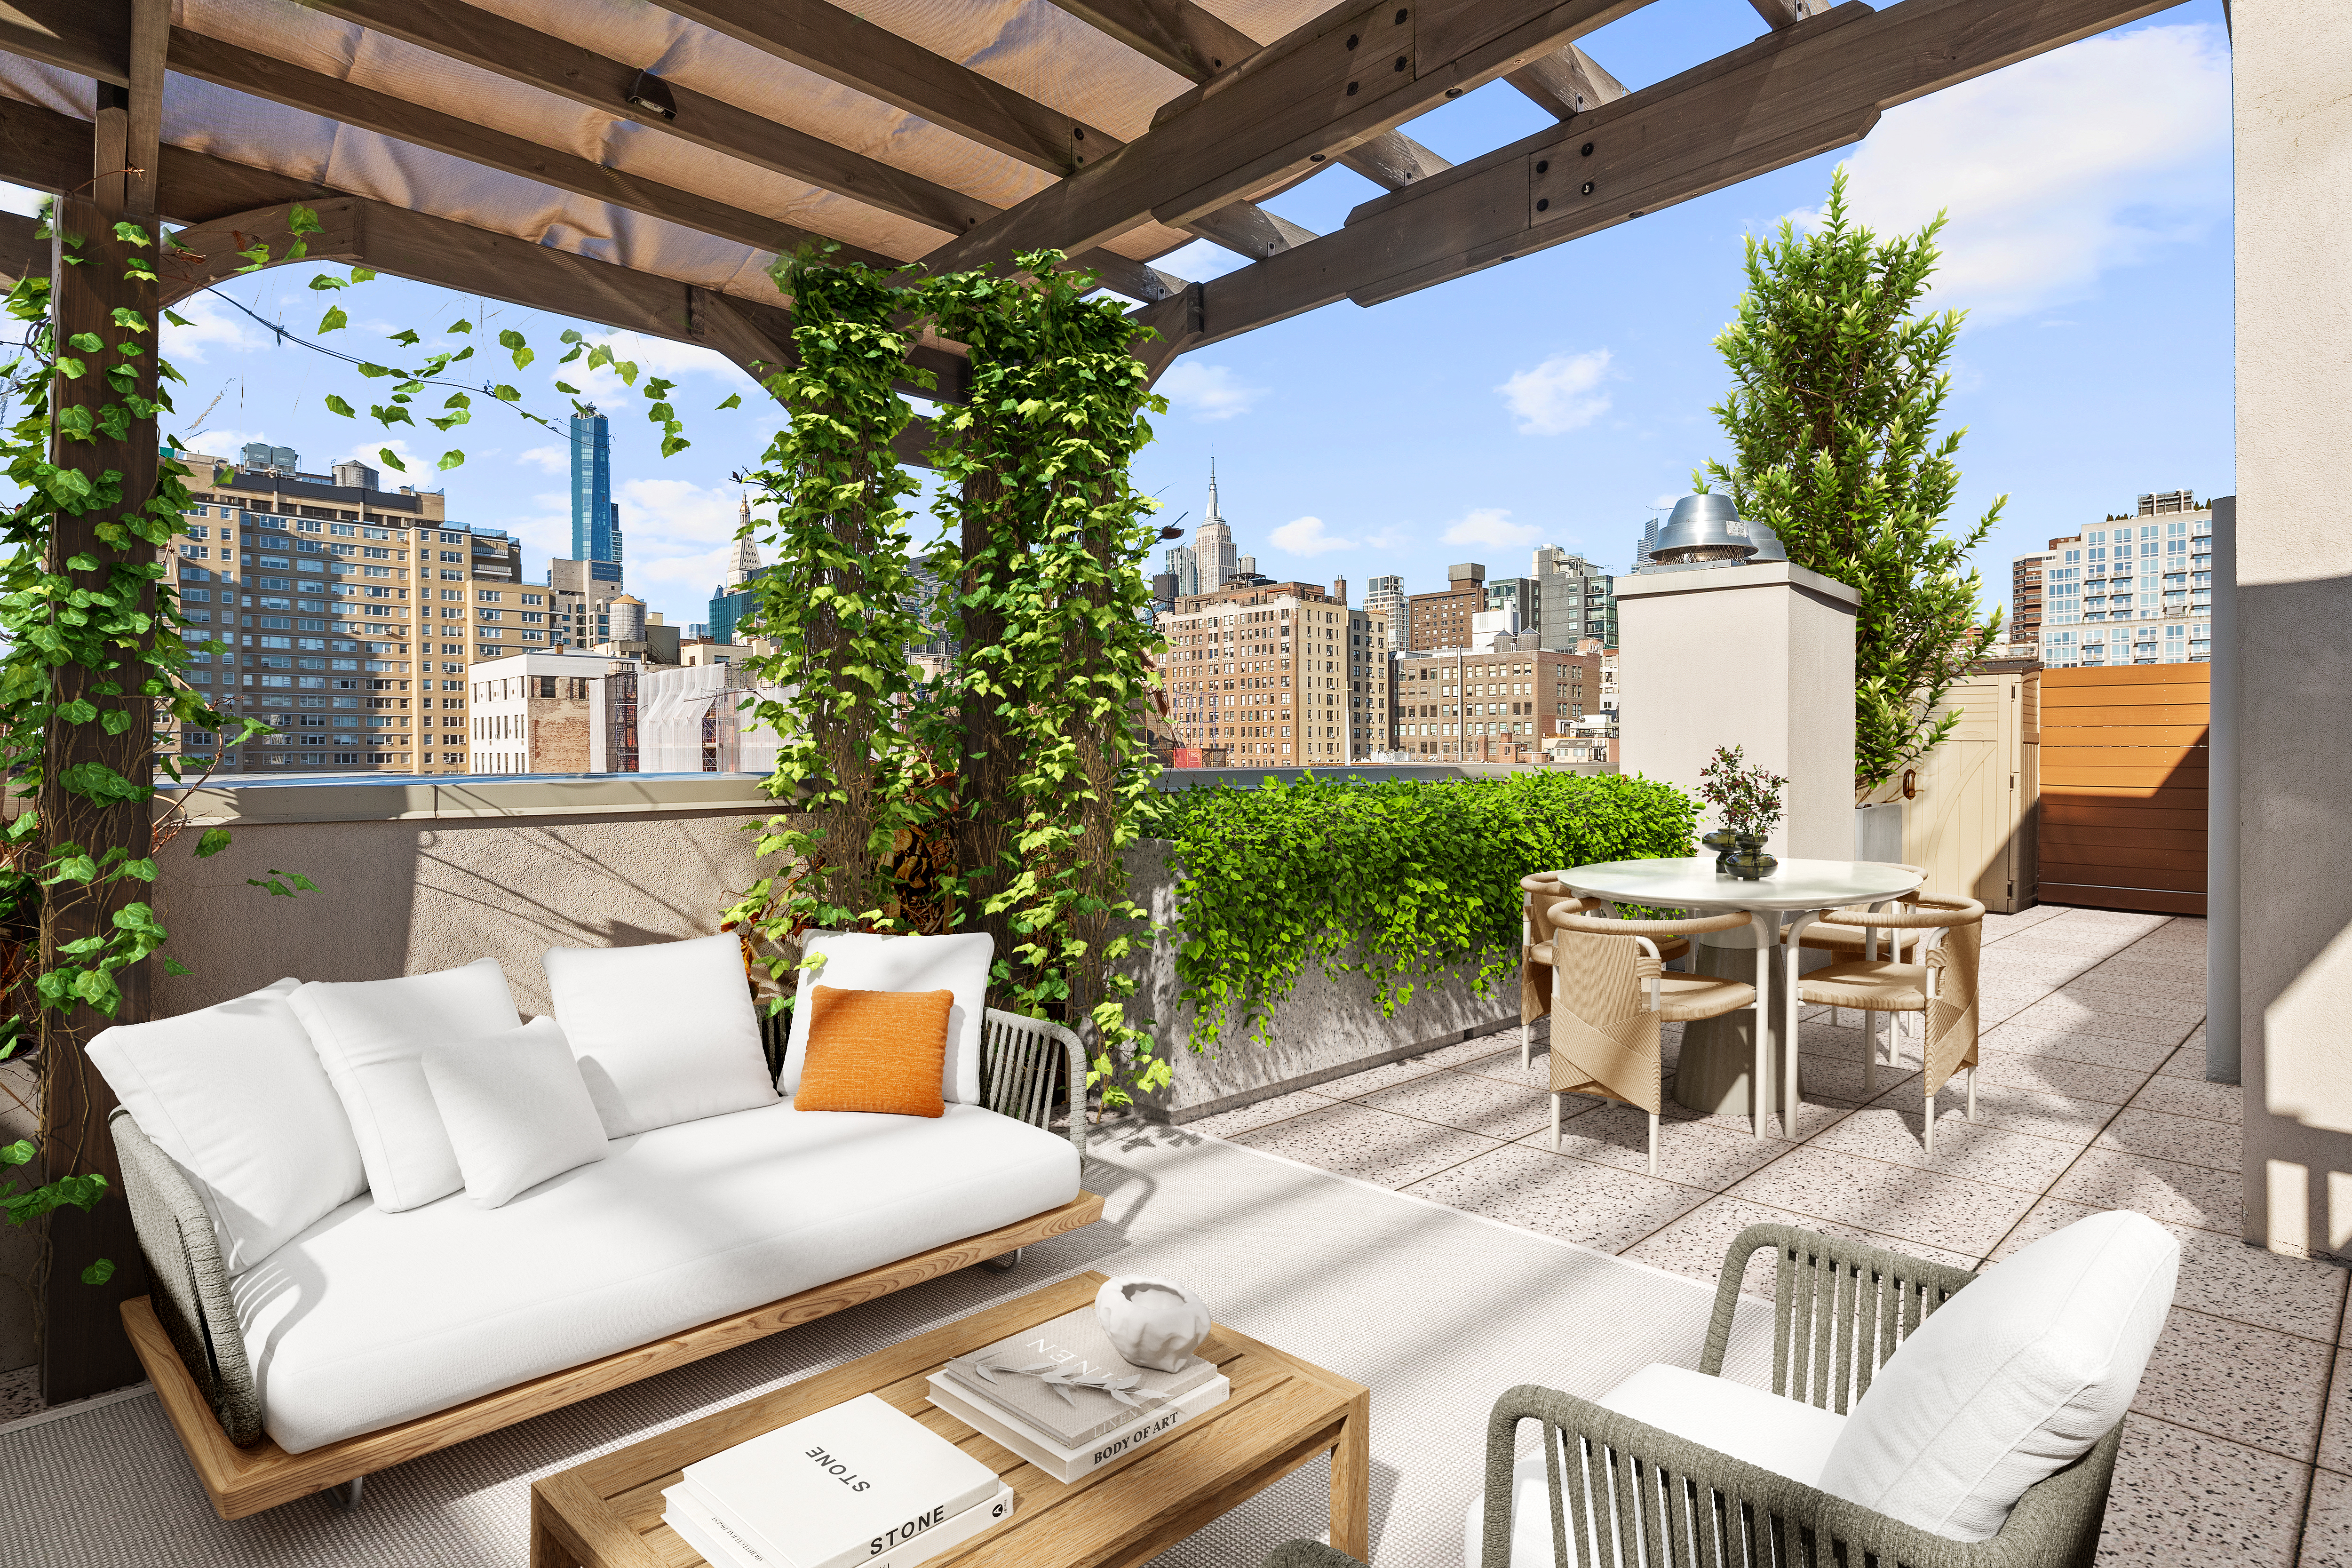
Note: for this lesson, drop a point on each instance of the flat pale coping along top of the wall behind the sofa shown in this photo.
(455, 798)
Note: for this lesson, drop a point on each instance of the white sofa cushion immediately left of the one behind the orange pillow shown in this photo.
(664, 1033)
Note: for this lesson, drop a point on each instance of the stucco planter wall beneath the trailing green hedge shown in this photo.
(1321, 1031)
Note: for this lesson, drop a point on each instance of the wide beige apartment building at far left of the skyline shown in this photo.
(352, 617)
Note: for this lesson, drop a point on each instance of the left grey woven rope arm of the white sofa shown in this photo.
(187, 1280)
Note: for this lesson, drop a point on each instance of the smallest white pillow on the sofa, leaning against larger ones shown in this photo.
(516, 1111)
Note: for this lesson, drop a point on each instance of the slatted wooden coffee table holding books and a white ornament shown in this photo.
(1283, 1414)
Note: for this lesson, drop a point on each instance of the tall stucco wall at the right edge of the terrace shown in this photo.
(2290, 659)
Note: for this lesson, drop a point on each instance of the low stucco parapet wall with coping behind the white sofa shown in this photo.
(420, 878)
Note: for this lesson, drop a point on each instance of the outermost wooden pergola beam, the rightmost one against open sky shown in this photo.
(1770, 105)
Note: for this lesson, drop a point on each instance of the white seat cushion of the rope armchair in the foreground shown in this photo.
(1779, 1435)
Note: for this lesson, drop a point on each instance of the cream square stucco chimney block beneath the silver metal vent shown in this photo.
(1753, 657)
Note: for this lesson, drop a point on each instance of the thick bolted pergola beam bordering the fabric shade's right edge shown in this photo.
(1297, 102)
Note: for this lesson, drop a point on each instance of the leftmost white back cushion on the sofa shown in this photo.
(236, 1097)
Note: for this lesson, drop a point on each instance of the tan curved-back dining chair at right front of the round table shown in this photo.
(1939, 986)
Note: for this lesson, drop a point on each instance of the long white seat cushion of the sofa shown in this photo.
(373, 1320)
